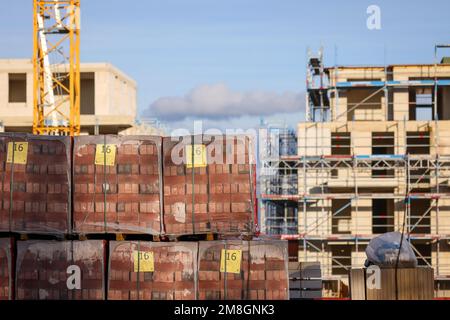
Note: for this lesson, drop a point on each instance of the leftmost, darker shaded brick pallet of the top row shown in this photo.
(37, 182)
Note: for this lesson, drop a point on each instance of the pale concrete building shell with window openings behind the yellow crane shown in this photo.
(108, 97)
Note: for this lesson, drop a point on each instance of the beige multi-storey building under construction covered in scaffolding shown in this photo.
(373, 157)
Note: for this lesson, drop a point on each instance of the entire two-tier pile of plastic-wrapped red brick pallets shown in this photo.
(140, 185)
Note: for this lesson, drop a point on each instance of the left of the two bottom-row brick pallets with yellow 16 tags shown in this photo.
(164, 271)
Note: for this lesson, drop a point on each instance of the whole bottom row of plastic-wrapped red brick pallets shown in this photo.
(142, 270)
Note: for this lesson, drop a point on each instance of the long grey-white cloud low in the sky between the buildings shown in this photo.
(217, 101)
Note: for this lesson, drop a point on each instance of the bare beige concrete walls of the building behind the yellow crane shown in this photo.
(114, 95)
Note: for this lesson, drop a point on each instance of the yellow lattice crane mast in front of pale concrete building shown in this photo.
(56, 67)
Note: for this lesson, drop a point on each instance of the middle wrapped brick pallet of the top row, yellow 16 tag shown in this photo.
(123, 196)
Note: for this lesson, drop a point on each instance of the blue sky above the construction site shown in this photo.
(252, 50)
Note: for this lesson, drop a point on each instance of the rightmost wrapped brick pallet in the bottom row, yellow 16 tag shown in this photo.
(255, 270)
